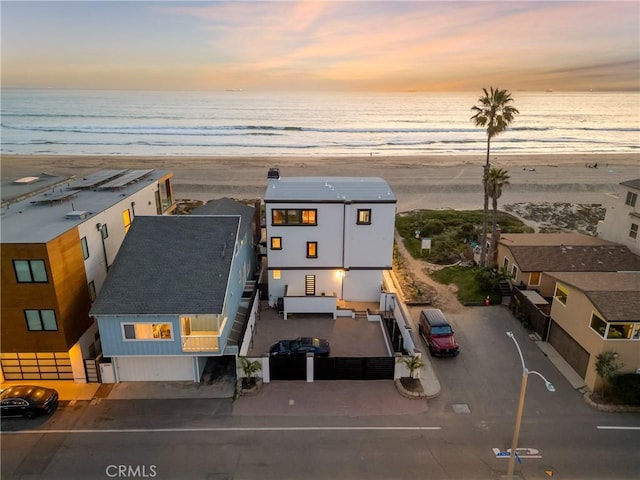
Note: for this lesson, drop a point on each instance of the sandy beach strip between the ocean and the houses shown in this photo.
(417, 181)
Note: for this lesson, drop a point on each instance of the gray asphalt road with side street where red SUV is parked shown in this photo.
(561, 437)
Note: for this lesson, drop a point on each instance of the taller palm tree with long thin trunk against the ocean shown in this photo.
(493, 112)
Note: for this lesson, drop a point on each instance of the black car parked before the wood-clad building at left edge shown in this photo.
(27, 401)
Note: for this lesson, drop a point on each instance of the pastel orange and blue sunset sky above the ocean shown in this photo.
(331, 45)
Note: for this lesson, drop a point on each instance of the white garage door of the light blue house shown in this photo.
(154, 369)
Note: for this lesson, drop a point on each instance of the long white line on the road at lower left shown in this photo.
(217, 429)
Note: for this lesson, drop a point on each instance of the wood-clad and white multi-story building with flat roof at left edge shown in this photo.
(60, 236)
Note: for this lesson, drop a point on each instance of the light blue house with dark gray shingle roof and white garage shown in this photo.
(177, 296)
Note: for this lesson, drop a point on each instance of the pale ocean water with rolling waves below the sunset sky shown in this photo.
(244, 123)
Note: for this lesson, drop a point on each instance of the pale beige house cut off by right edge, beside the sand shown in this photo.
(621, 223)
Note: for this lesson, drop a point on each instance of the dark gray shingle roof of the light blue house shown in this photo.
(170, 265)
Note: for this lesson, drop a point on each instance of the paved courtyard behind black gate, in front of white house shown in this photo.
(349, 337)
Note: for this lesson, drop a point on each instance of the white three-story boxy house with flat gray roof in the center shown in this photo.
(329, 240)
